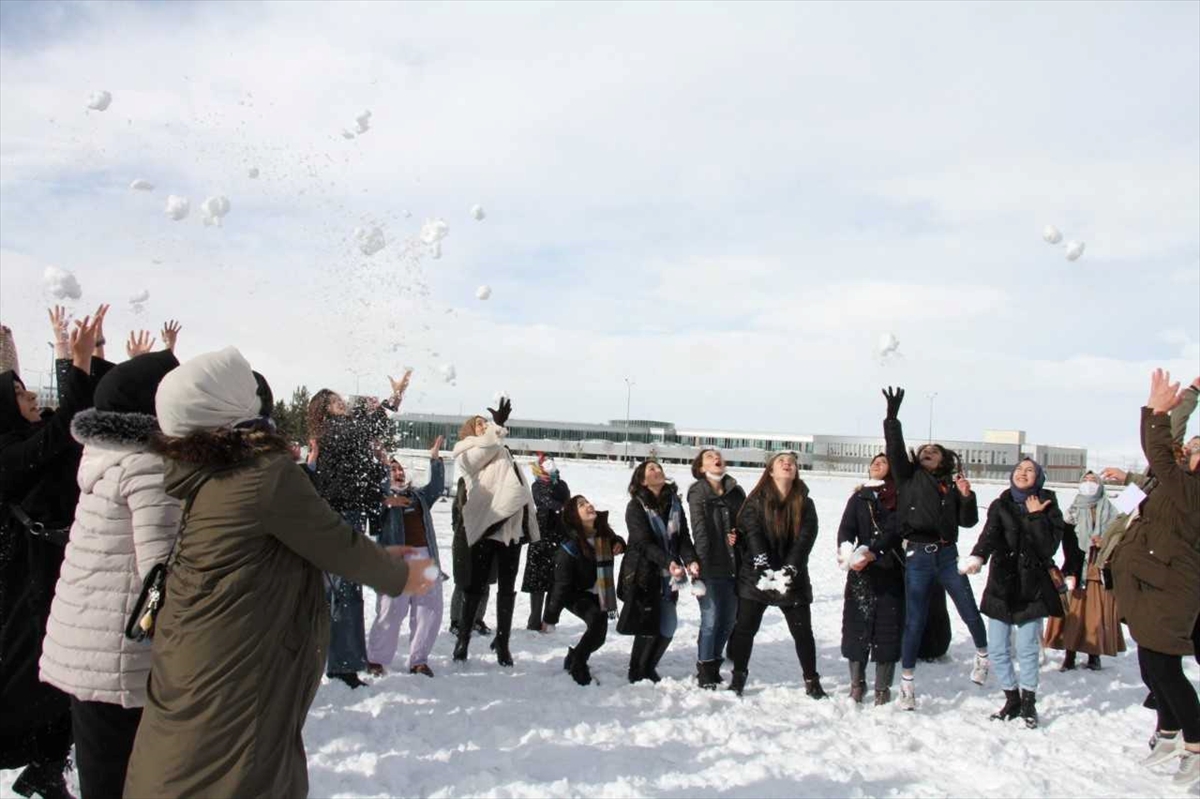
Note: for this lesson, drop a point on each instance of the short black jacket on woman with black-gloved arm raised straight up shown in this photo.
(932, 509)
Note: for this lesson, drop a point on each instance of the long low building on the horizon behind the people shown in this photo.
(993, 458)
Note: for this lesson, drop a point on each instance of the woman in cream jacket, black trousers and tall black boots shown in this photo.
(500, 515)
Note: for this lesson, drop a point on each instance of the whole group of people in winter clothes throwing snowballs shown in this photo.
(175, 582)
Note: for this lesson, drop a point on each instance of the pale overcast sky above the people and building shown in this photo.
(729, 205)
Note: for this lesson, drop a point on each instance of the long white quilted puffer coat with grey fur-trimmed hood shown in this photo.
(125, 525)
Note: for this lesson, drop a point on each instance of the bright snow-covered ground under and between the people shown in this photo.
(482, 731)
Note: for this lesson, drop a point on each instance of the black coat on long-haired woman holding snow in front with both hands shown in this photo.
(766, 549)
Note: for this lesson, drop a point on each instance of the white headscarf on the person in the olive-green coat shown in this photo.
(211, 392)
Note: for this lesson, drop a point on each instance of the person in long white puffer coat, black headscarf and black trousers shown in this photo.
(124, 526)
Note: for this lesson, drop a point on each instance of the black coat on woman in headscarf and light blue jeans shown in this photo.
(1021, 546)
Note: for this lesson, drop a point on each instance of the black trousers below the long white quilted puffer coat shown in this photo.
(104, 738)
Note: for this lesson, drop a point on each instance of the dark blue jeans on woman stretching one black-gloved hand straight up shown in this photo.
(923, 569)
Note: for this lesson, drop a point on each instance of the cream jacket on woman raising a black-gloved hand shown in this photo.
(496, 489)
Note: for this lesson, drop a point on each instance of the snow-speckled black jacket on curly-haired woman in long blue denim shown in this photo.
(350, 477)
